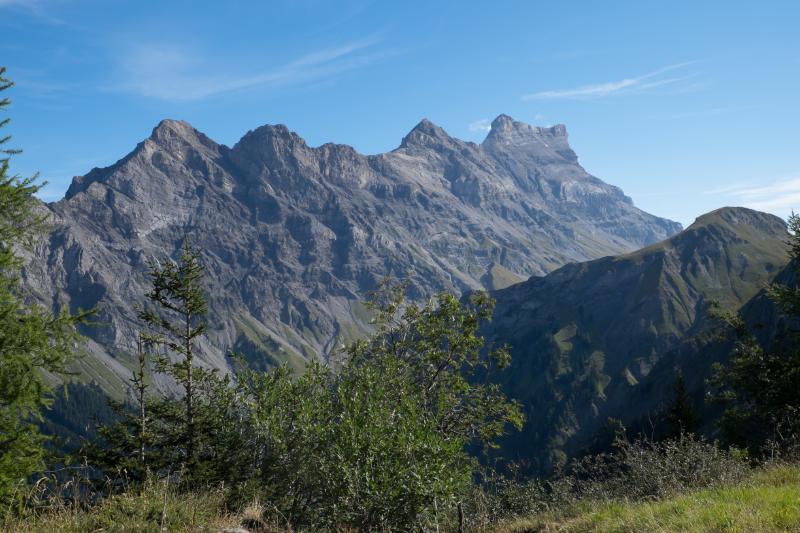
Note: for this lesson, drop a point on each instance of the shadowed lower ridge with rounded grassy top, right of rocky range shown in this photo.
(585, 338)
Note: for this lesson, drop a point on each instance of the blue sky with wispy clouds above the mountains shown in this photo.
(688, 106)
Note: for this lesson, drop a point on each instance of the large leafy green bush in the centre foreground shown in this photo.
(382, 442)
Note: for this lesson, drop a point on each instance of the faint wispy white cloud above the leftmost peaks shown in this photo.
(177, 74)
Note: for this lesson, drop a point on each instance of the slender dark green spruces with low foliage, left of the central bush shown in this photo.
(197, 436)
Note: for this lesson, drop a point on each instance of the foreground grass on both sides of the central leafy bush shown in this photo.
(768, 501)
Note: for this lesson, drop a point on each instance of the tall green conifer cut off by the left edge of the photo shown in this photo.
(32, 340)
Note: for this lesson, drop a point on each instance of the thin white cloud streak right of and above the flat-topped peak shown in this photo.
(642, 83)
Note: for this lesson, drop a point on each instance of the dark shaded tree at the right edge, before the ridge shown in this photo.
(761, 386)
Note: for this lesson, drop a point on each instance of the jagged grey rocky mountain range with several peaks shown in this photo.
(293, 236)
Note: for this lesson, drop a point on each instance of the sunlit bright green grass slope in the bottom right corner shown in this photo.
(768, 501)
